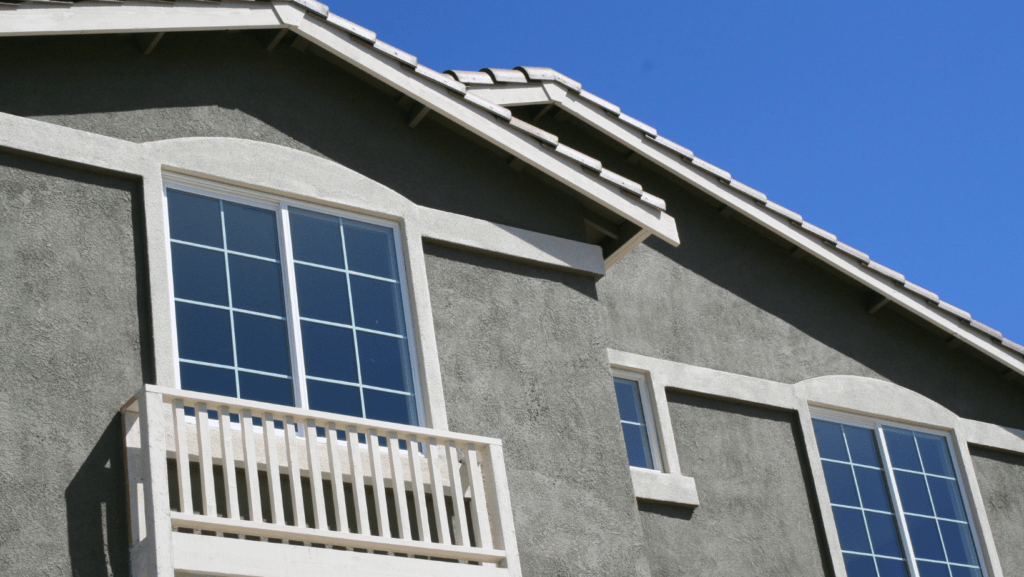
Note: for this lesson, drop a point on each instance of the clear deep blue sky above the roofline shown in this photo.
(900, 127)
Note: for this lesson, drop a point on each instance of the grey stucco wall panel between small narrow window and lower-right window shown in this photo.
(756, 507)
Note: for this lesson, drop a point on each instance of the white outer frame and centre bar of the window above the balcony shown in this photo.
(281, 207)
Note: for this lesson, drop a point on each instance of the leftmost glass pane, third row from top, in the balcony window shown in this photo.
(204, 334)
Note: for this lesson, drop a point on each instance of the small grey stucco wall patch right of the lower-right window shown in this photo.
(1001, 478)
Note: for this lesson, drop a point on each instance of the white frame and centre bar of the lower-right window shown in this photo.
(877, 425)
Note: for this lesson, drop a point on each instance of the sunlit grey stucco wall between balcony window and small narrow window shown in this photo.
(523, 359)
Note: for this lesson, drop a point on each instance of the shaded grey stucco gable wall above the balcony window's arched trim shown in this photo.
(227, 85)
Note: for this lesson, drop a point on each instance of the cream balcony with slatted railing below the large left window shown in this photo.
(331, 494)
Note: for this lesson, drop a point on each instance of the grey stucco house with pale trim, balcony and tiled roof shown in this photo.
(254, 238)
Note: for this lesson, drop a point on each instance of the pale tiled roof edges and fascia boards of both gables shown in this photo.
(489, 94)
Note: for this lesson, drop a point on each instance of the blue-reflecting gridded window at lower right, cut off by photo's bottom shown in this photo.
(898, 502)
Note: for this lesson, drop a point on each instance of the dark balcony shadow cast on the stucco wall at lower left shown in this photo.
(98, 512)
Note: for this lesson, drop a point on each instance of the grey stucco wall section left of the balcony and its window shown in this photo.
(70, 356)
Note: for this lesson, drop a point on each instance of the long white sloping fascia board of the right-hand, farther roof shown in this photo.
(635, 141)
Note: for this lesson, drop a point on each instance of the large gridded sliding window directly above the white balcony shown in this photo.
(286, 305)
